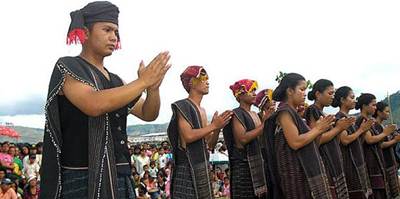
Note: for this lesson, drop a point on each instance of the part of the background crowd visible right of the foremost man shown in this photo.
(151, 171)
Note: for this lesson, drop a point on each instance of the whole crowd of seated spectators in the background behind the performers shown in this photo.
(151, 170)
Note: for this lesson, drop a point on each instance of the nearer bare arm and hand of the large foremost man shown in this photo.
(95, 103)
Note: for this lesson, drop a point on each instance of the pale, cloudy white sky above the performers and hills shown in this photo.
(354, 43)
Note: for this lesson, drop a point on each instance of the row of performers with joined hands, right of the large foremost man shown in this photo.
(291, 152)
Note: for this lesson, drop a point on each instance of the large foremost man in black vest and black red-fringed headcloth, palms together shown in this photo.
(85, 153)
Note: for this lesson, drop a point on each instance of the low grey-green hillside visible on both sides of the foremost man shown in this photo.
(34, 135)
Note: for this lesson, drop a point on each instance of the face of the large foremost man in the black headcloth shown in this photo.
(102, 38)
